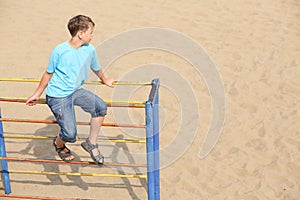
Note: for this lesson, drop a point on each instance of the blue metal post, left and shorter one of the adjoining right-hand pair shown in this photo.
(150, 148)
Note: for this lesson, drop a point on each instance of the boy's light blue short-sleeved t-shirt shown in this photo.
(70, 68)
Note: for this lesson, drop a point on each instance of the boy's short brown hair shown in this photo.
(79, 23)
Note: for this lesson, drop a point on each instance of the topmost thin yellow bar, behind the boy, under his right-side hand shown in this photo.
(32, 80)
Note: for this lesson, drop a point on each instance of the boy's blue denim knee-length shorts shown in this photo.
(64, 112)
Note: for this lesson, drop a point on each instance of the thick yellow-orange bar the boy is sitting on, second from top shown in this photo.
(109, 103)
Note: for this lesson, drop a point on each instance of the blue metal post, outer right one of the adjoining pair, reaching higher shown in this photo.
(156, 142)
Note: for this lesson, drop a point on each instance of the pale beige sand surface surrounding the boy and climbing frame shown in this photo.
(255, 48)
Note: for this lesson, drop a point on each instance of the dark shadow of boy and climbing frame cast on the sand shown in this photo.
(43, 149)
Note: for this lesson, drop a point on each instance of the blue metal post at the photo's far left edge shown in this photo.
(4, 167)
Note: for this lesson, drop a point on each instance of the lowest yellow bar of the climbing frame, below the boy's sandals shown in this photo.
(77, 174)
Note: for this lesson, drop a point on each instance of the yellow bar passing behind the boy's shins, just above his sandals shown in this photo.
(116, 140)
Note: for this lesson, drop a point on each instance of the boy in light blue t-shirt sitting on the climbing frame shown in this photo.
(67, 71)
